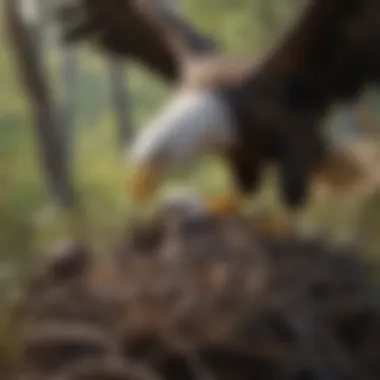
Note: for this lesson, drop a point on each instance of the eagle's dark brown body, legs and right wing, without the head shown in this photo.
(328, 56)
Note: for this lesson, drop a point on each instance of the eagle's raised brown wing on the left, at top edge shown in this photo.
(144, 30)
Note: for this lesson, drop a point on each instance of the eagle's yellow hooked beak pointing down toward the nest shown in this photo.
(143, 183)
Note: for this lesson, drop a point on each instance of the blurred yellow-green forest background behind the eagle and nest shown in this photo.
(99, 104)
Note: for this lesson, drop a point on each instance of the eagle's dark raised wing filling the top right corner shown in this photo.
(333, 49)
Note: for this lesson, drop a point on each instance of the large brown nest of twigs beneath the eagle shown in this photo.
(196, 297)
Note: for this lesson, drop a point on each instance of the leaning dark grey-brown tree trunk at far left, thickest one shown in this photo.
(34, 80)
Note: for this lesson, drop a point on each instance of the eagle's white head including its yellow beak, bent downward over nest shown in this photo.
(194, 123)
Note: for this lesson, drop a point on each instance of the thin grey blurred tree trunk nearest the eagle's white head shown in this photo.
(120, 101)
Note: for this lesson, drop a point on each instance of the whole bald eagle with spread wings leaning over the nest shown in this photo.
(251, 113)
